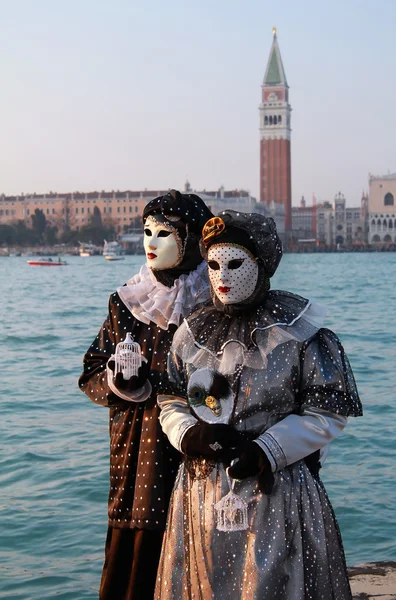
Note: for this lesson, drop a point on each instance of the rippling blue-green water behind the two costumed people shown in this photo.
(54, 459)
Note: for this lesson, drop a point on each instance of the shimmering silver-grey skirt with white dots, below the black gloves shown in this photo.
(292, 549)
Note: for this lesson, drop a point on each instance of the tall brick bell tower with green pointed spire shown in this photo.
(275, 134)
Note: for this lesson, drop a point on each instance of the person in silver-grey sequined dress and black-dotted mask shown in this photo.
(261, 386)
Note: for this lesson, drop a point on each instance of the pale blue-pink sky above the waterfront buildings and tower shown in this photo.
(133, 94)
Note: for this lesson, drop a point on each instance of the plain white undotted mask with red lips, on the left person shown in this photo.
(163, 247)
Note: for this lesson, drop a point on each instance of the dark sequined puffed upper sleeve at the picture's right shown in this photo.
(326, 378)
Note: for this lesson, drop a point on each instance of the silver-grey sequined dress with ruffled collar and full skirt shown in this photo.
(279, 363)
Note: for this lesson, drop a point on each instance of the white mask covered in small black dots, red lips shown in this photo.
(233, 273)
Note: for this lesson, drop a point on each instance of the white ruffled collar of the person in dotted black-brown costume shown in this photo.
(151, 301)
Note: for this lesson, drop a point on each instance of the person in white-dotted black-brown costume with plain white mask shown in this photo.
(143, 465)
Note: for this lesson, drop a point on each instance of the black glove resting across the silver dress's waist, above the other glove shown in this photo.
(210, 441)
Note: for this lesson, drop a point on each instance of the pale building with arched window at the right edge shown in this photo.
(382, 209)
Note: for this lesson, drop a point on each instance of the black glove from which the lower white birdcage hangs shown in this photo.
(253, 461)
